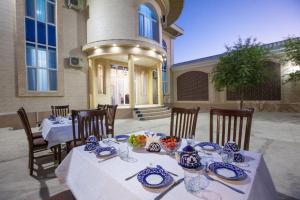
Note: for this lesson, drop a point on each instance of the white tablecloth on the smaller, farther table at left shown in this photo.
(56, 134)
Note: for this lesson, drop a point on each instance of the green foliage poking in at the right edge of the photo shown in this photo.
(292, 50)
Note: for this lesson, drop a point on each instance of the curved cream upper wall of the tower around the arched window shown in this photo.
(115, 19)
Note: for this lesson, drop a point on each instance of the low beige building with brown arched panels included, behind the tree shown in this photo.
(192, 85)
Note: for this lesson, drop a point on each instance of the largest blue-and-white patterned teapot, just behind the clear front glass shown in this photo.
(189, 158)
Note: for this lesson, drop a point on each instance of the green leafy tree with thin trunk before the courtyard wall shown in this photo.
(241, 67)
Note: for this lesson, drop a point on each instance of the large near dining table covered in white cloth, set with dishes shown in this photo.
(91, 177)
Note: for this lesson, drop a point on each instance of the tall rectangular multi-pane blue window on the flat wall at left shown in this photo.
(40, 43)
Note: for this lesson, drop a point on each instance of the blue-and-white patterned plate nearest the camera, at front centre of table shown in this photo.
(155, 177)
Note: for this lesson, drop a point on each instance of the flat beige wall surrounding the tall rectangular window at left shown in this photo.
(72, 34)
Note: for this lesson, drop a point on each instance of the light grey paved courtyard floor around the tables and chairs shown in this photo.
(276, 135)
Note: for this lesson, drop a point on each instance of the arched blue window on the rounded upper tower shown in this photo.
(148, 22)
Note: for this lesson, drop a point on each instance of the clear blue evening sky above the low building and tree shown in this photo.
(209, 25)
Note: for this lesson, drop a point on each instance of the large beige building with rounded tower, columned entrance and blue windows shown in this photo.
(123, 50)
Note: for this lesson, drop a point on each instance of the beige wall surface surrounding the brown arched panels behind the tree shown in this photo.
(290, 92)
